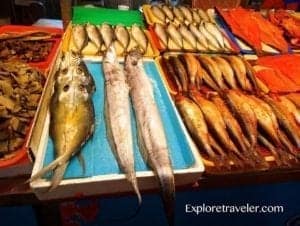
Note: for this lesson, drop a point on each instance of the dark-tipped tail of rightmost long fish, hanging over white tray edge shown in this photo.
(166, 181)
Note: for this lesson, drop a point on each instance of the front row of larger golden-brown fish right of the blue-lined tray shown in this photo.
(229, 128)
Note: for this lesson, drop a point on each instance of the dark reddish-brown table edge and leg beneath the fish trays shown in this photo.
(48, 212)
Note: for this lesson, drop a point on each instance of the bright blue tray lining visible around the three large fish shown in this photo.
(97, 153)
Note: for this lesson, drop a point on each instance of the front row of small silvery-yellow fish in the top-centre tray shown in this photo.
(203, 37)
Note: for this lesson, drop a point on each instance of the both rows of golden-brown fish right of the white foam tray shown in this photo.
(230, 126)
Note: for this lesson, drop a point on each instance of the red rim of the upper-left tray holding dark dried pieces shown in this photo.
(43, 65)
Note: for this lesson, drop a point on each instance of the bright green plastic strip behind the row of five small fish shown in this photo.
(82, 15)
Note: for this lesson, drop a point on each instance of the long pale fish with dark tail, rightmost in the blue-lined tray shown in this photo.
(152, 137)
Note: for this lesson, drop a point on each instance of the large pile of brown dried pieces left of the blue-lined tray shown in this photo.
(20, 90)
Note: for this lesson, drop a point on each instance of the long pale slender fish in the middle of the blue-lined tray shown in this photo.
(117, 115)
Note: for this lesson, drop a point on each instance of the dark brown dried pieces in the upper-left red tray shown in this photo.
(32, 46)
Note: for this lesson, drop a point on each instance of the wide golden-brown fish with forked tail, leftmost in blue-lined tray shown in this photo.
(72, 117)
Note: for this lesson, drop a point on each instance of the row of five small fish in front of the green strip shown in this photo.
(102, 36)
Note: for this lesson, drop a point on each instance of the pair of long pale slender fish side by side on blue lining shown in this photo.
(151, 135)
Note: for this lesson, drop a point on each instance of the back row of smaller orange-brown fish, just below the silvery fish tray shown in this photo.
(216, 72)
